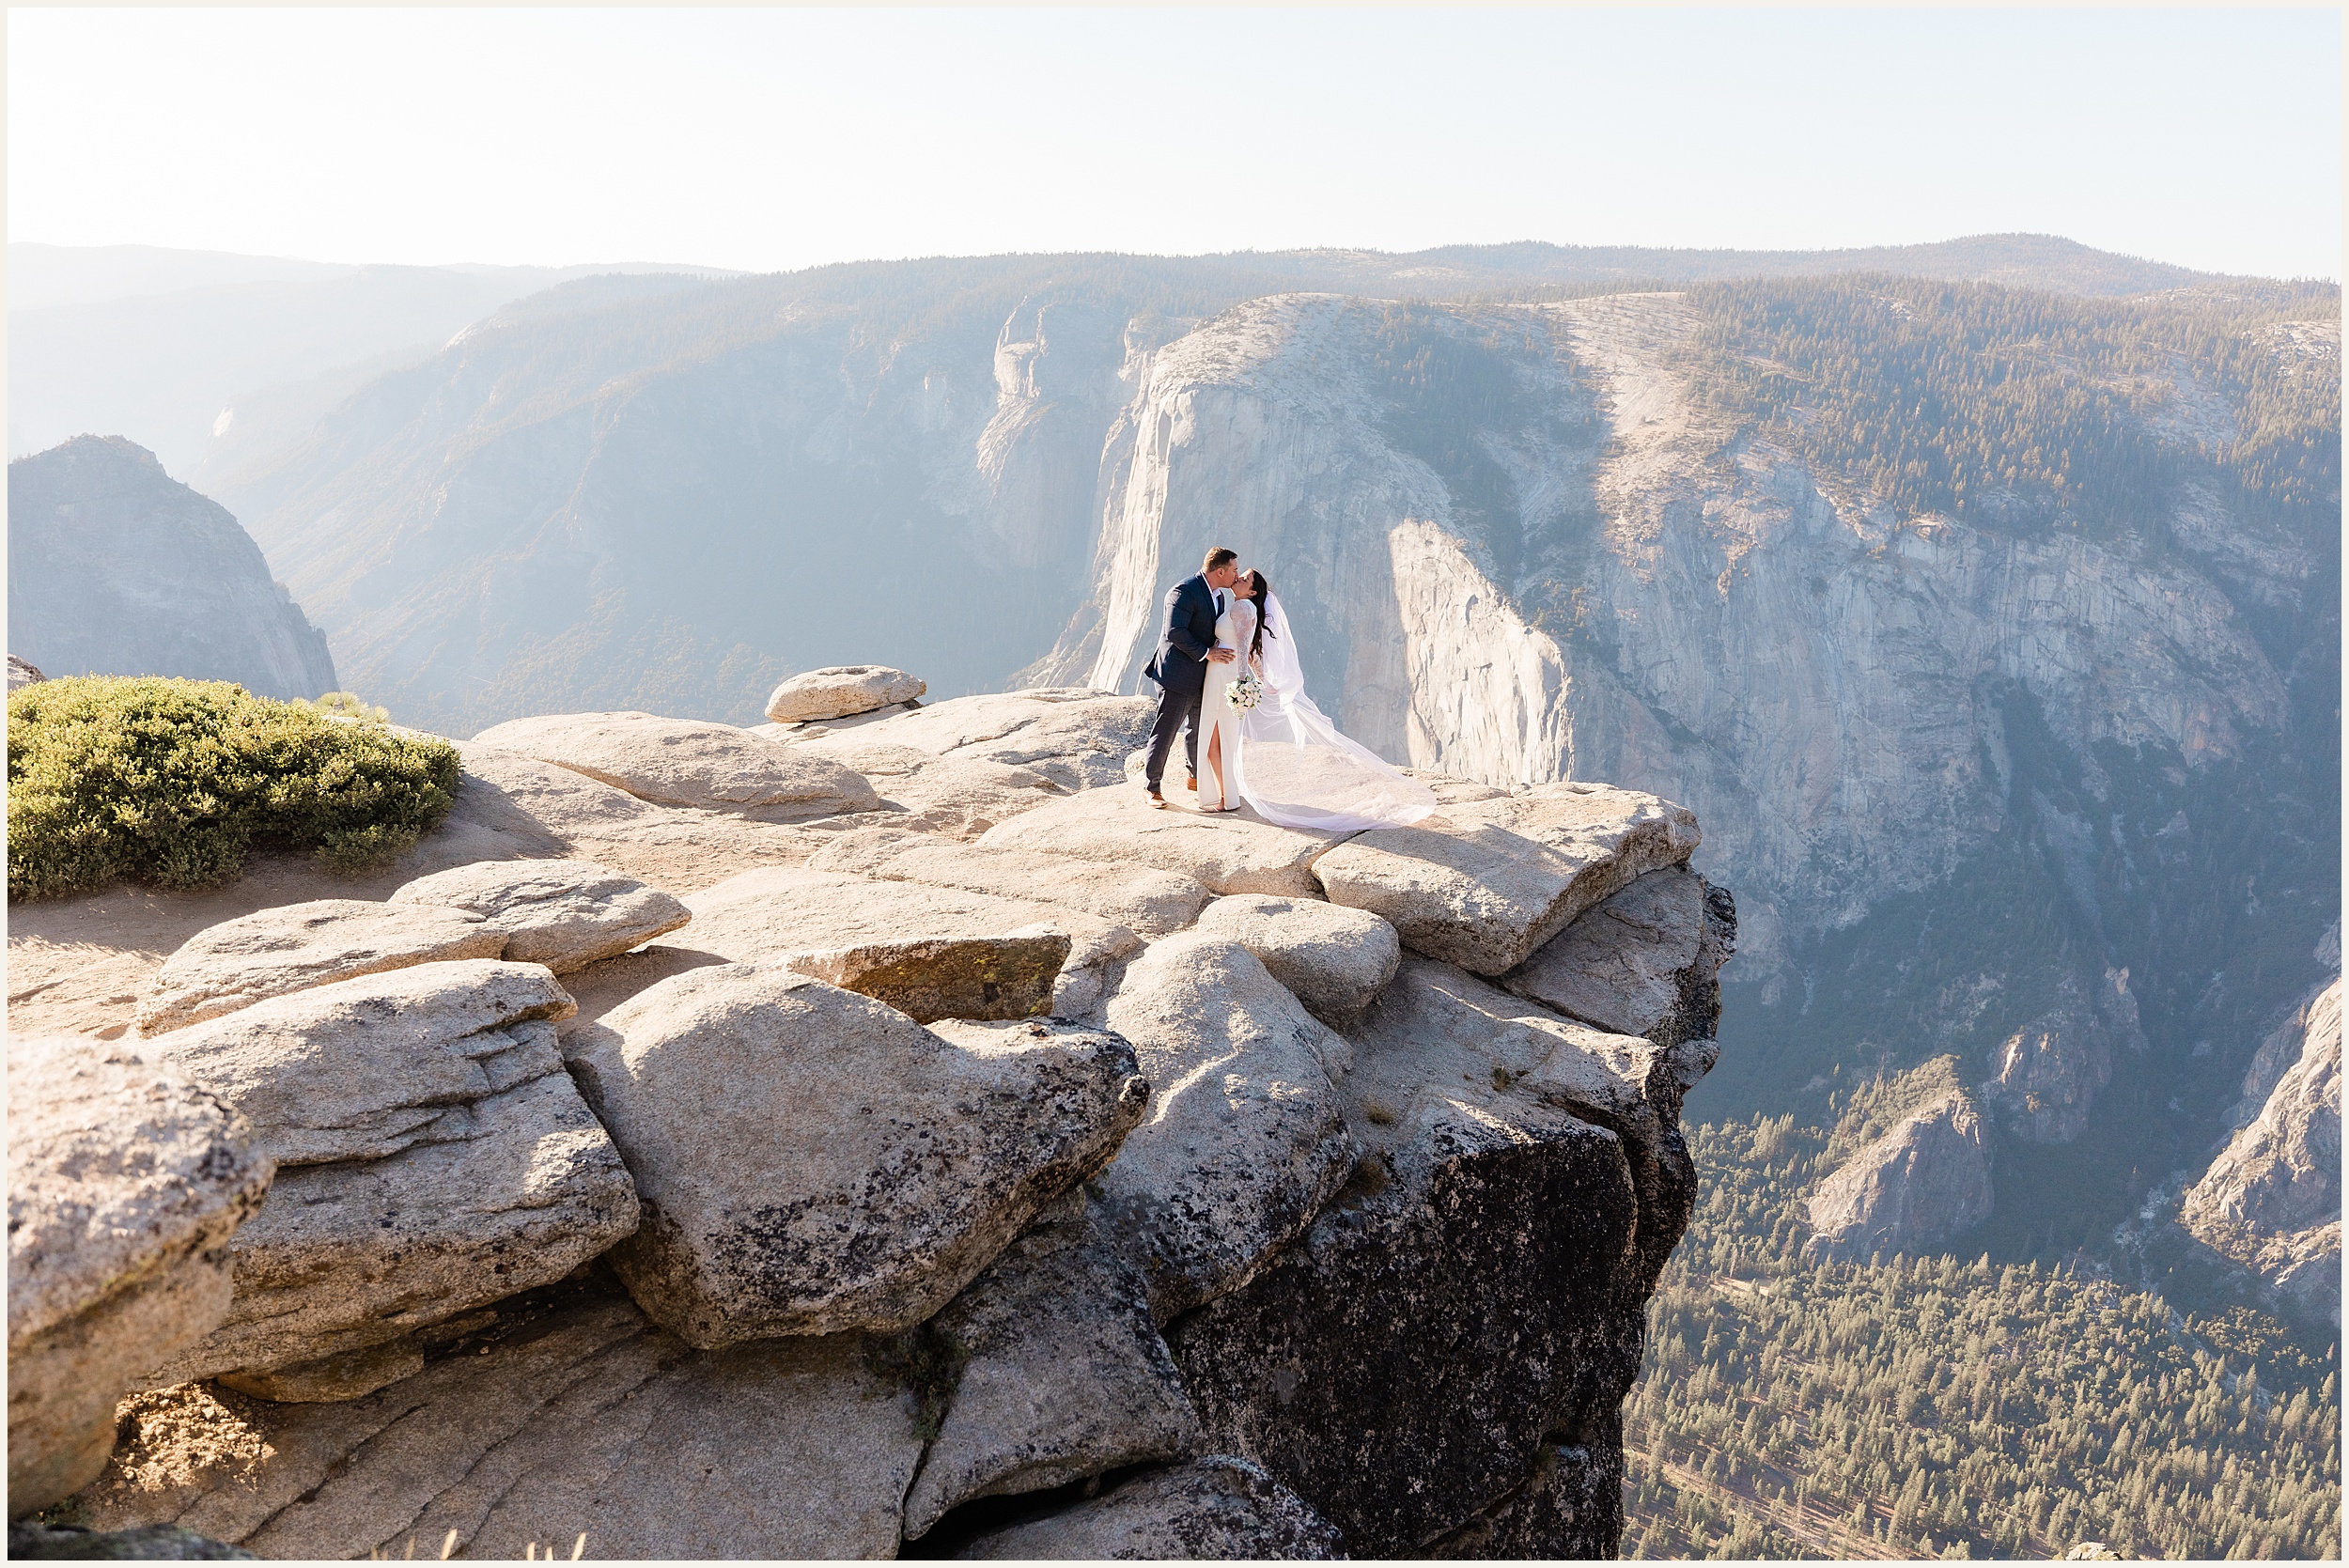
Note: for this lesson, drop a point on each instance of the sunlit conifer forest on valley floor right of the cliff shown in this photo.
(1944, 1407)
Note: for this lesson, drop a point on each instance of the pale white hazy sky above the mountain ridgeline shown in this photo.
(793, 137)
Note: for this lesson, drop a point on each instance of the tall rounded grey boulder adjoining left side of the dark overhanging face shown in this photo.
(1248, 1140)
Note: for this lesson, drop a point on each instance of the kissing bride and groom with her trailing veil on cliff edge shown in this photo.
(1232, 682)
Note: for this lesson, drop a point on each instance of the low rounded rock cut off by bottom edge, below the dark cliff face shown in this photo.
(1209, 1510)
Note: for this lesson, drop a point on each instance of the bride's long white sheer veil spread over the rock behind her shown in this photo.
(1293, 764)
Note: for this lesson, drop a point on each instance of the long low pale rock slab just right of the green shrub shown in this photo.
(687, 762)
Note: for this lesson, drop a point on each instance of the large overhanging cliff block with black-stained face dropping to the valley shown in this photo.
(1467, 1297)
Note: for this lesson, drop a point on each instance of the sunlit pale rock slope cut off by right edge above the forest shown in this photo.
(2273, 1201)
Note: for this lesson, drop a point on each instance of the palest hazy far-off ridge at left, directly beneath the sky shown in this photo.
(177, 349)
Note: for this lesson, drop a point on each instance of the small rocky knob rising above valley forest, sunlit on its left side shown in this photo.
(1911, 1191)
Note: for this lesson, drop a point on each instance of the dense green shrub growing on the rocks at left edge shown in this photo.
(170, 783)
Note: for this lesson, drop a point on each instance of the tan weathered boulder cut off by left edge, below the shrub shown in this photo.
(126, 1184)
